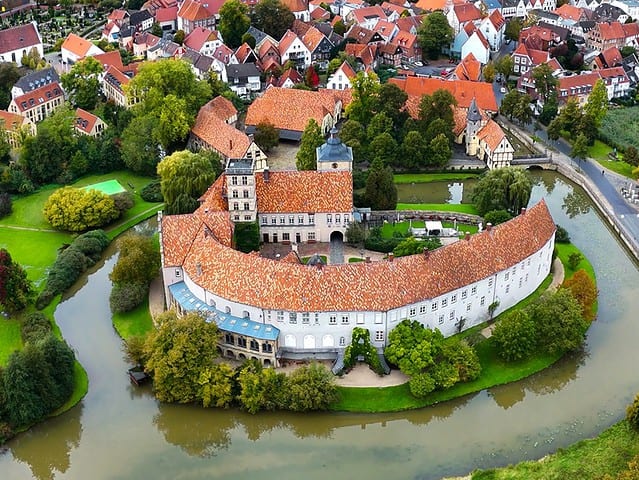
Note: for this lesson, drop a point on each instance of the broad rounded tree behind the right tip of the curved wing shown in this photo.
(502, 189)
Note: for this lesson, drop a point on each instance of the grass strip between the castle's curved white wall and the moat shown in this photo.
(494, 370)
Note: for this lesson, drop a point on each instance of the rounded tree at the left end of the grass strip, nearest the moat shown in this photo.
(311, 387)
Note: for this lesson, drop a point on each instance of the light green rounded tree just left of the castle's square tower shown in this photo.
(184, 177)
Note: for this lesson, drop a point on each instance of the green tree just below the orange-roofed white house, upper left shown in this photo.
(82, 83)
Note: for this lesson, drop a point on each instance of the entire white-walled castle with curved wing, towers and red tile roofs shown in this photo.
(273, 310)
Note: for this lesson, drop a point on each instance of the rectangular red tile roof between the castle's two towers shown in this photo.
(306, 191)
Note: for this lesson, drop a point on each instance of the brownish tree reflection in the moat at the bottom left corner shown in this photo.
(63, 435)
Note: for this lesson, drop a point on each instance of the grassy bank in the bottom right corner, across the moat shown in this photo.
(590, 459)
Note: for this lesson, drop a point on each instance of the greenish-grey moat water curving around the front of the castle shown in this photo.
(120, 431)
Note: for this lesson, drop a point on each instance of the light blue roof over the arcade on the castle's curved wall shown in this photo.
(224, 321)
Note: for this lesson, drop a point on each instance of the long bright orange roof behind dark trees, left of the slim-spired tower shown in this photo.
(463, 91)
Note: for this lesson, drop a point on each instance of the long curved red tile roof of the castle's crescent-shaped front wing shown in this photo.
(376, 286)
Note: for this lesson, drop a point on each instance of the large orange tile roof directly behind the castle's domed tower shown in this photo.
(291, 109)
